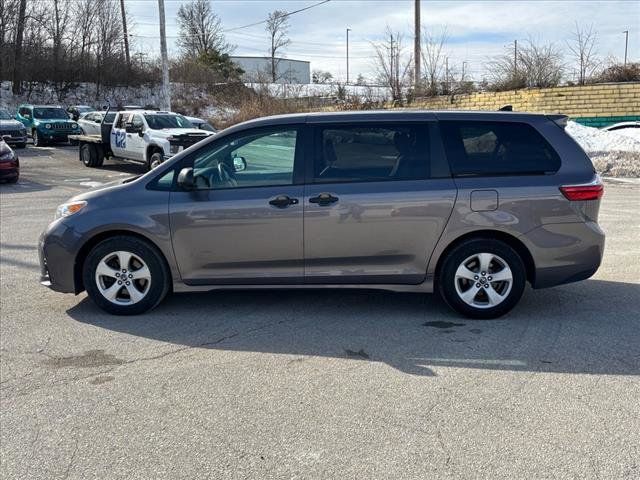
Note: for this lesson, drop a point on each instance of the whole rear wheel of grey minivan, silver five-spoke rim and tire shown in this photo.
(482, 278)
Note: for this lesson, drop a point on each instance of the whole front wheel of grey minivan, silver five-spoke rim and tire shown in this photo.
(125, 276)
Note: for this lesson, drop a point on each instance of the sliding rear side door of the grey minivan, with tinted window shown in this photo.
(377, 199)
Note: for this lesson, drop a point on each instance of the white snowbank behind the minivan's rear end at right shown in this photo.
(614, 154)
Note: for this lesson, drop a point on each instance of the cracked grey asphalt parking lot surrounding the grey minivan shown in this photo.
(313, 384)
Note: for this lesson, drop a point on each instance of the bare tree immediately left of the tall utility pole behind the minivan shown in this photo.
(393, 66)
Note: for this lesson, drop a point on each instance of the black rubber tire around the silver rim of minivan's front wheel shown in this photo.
(160, 277)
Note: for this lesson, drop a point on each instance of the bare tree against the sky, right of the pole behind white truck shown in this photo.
(200, 30)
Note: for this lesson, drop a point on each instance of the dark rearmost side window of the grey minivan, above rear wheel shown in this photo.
(497, 148)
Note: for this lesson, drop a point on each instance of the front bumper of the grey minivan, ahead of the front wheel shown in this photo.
(57, 253)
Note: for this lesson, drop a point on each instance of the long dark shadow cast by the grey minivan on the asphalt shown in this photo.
(591, 327)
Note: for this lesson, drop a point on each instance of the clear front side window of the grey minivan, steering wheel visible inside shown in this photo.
(258, 159)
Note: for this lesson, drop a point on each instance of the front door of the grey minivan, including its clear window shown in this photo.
(242, 224)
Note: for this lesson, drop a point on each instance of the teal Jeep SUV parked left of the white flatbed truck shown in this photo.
(47, 123)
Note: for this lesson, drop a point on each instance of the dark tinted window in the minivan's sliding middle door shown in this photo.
(372, 153)
